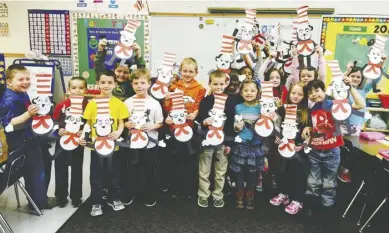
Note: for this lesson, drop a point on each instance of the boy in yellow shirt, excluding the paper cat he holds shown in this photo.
(118, 112)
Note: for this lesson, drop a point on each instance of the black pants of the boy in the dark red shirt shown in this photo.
(75, 159)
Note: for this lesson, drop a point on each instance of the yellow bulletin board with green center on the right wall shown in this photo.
(349, 38)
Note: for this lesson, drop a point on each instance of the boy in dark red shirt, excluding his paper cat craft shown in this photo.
(76, 87)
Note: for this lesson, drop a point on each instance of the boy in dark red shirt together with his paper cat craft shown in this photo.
(68, 115)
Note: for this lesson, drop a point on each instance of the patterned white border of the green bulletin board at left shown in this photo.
(79, 46)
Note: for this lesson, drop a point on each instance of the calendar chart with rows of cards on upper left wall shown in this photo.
(49, 31)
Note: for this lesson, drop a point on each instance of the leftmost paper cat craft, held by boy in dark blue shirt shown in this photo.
(42, 123)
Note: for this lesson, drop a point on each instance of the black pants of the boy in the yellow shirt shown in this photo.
(98, 174)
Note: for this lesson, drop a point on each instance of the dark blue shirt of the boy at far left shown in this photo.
(14, 104)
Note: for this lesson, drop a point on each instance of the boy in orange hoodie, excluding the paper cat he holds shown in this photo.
(185, 168)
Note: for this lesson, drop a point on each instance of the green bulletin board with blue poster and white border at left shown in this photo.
(88, 28)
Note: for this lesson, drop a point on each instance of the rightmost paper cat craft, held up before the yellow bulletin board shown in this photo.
(373, 69)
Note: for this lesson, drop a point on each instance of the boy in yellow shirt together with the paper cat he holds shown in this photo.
(109, 112)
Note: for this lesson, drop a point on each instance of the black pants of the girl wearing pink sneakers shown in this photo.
(293, 180)
